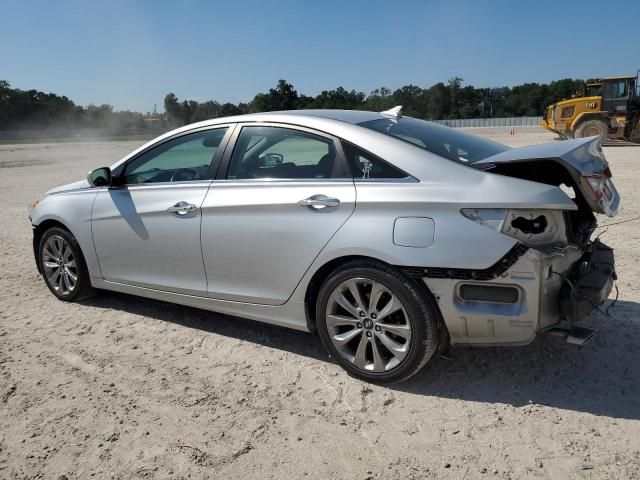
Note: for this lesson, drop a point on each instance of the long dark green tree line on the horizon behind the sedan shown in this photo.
(32, 109)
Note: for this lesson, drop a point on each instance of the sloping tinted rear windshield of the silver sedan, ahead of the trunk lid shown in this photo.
(444, 141)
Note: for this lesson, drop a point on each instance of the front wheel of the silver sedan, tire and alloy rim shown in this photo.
(59, 251)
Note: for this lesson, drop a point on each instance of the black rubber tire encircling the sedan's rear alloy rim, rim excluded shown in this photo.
(424, 334)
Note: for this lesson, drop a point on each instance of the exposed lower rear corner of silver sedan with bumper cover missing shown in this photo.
(533, 296)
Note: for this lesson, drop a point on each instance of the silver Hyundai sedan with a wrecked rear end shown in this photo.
(391, 237)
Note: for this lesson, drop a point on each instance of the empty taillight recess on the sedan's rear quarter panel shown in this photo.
(535, 228)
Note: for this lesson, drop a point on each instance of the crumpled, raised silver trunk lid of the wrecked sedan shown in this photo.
(578, 163)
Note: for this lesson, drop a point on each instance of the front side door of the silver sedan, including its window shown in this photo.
(146, 228)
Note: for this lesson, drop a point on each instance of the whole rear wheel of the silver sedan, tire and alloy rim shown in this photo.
(370, 343)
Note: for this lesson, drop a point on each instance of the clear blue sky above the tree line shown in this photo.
(131, 53)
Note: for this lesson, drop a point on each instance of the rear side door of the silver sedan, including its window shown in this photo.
(282, 194)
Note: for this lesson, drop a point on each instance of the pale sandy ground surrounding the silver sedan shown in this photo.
(122, 387)
